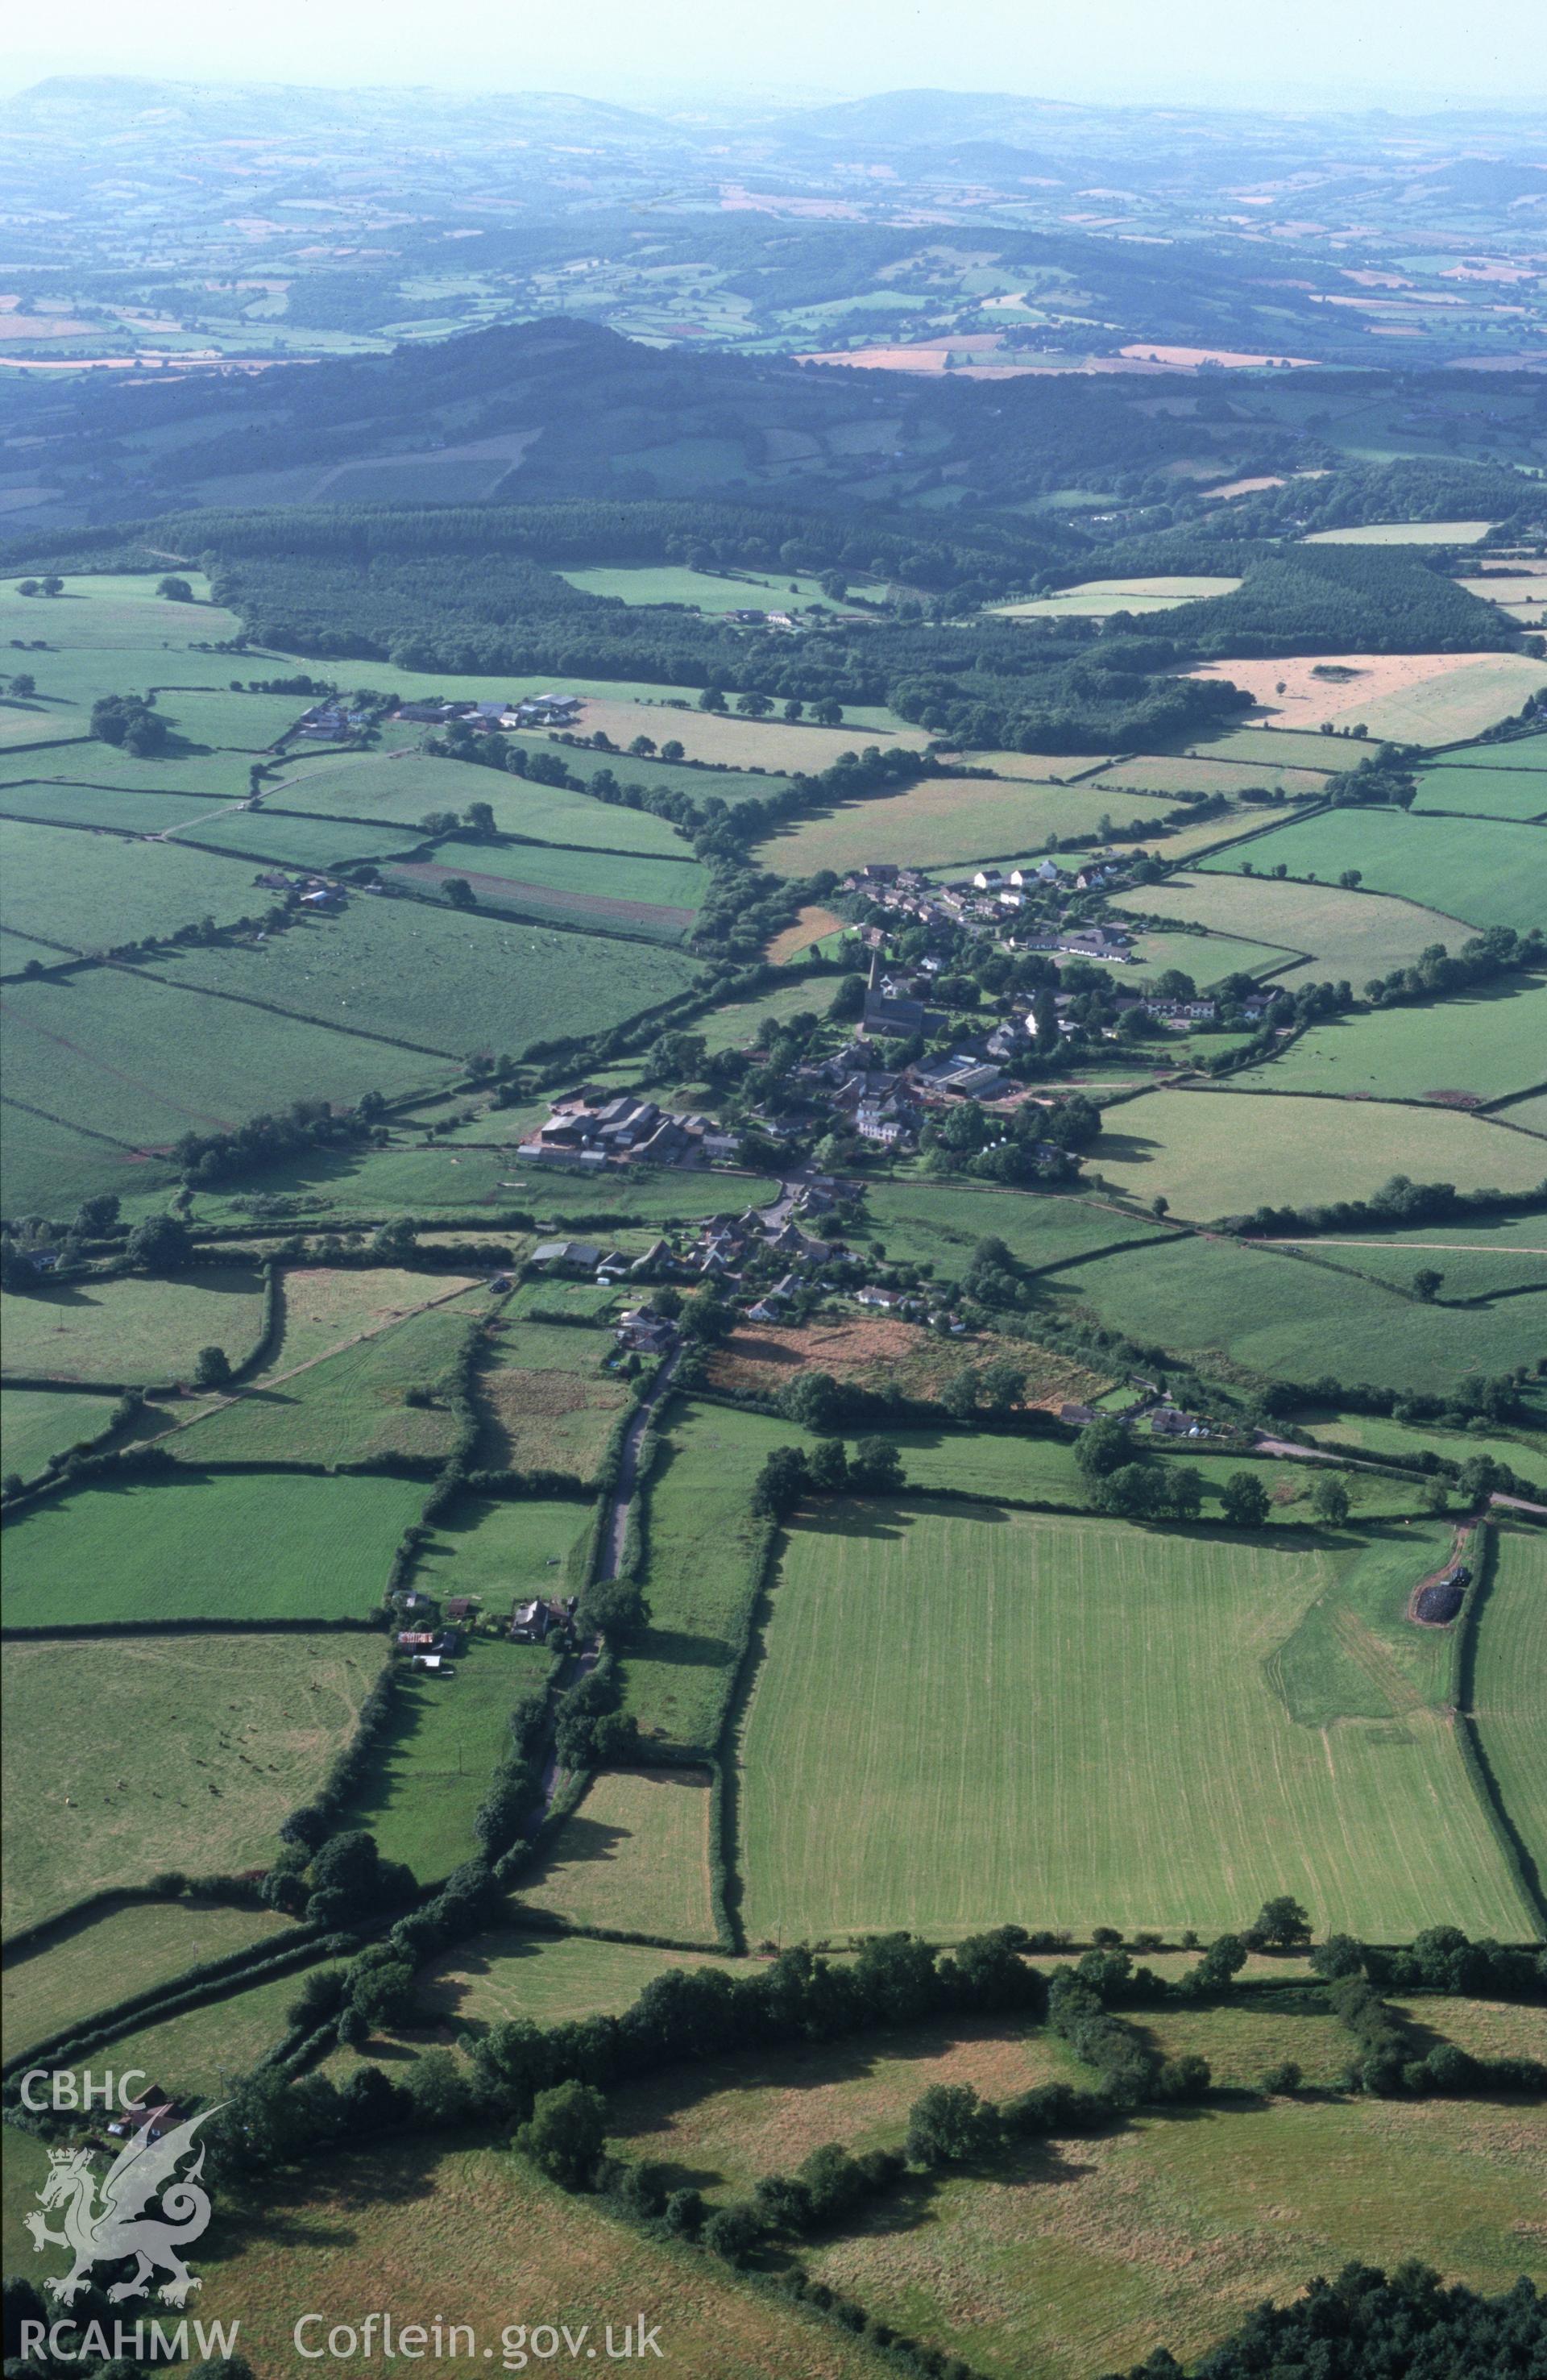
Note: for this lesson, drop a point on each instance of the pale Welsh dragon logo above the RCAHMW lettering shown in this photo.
(120, 2226)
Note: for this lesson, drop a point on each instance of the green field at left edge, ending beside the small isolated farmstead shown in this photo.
(96, 891)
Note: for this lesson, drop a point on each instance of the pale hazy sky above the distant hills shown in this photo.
(656, 54)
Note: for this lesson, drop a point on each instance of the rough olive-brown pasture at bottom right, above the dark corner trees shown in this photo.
(1172, 2234)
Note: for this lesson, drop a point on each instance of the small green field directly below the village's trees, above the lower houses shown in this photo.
(944, 1222)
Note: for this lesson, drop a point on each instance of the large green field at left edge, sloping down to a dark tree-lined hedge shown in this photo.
(92, 1051)
